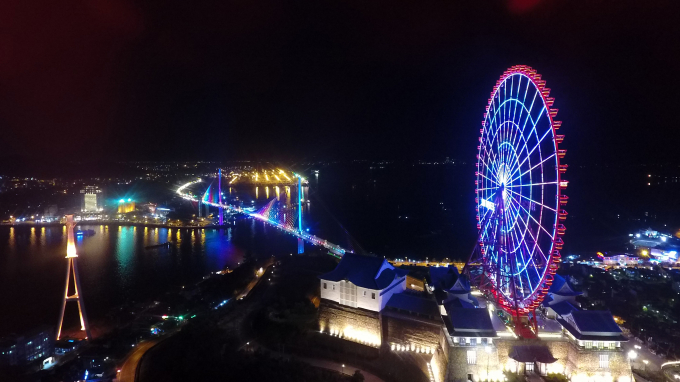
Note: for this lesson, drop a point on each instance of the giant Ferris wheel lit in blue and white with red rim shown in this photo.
(519, 192)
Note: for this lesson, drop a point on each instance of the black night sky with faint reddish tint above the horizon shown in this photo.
(302, 80)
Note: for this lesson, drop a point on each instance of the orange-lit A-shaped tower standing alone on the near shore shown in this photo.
(72, 268)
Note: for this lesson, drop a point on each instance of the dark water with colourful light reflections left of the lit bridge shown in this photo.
(115, 266)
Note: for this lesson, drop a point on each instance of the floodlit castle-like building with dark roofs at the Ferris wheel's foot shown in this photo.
(459, 336)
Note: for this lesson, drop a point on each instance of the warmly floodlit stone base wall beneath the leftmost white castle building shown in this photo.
(353, 324)
